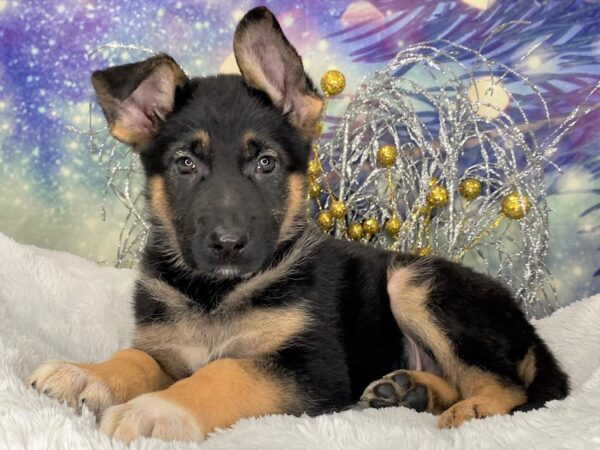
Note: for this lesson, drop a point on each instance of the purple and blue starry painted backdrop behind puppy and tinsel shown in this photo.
(51, 186)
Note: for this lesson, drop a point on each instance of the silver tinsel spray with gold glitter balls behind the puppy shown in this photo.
(427, 142)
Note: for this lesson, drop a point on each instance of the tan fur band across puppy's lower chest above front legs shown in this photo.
(191, 340)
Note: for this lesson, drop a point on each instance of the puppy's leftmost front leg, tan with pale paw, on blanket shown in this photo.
(127, 374)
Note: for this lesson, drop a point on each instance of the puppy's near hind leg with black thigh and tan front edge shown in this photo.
(441, 318)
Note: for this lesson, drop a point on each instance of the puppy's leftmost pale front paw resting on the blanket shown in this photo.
(69, 383)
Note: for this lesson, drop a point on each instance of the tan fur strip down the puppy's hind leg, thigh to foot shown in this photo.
(408, 301)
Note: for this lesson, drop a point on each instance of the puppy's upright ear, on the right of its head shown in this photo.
(268, 62)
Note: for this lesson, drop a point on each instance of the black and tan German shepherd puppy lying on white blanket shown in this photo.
(243, 308)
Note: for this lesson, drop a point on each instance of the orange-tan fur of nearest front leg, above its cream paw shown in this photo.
(226, 390)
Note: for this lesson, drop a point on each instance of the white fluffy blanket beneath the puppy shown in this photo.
(58, 306)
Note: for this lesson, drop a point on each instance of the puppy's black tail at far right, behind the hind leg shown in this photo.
(549, 380)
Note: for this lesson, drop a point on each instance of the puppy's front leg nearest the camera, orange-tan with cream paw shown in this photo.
(216, 395)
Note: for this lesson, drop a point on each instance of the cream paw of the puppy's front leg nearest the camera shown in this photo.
(150, 415)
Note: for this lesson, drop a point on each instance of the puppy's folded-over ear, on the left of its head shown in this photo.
(136, 98)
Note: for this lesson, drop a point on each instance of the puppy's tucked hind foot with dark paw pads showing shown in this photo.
(421, 391)
